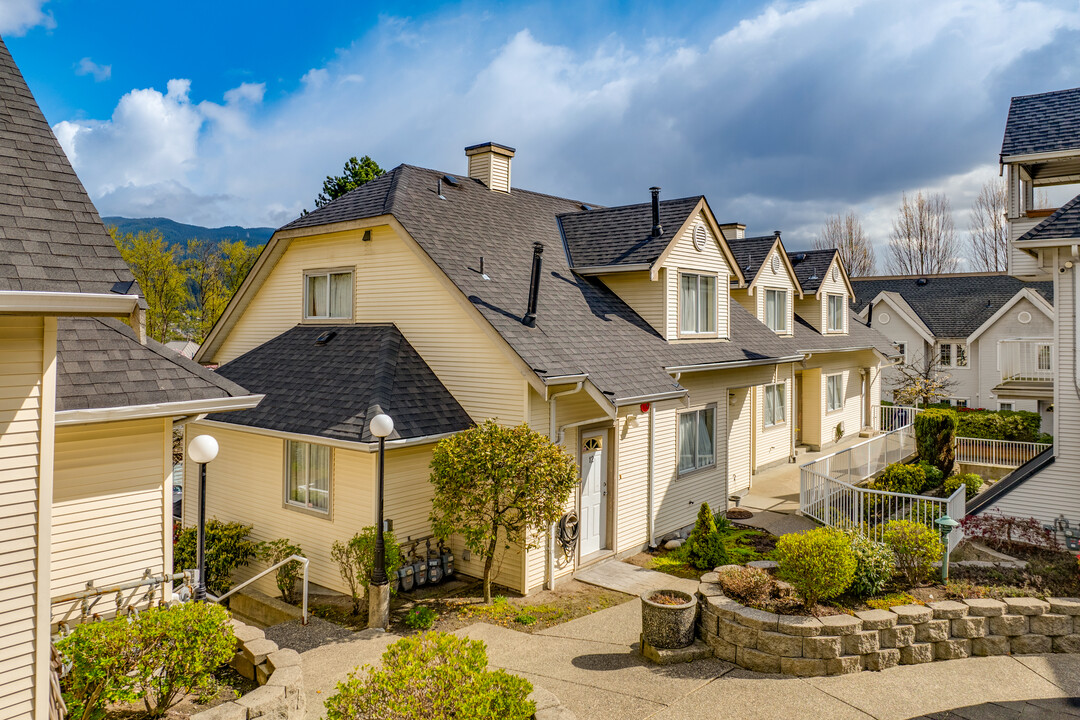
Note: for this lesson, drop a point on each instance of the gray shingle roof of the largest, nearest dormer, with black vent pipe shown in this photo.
(623, 236)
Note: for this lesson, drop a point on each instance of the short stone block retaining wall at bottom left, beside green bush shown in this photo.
(280, 695)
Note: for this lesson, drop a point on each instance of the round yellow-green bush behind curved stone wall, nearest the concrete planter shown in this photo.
(819, 564)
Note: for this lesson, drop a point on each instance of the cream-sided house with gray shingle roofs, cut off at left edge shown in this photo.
(87, 406)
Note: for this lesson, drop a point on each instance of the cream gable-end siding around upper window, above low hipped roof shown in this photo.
(391, 284)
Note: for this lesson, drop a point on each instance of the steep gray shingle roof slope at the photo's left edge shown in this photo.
(51, 238)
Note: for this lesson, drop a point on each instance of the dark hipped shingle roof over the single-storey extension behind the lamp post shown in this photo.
(332, 390)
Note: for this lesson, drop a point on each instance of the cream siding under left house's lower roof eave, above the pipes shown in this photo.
(112, 508)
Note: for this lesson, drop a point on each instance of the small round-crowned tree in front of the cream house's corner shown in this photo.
(493, 481)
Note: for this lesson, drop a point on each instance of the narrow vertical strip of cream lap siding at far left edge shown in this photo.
(22, 358)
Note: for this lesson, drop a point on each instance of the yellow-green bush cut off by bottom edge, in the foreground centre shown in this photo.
(433, 677)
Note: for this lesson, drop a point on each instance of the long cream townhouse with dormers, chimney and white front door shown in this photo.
(618, 332)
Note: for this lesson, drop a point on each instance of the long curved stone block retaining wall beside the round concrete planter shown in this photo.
(879, 640)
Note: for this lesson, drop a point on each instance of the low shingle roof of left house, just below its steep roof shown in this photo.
(101, 364)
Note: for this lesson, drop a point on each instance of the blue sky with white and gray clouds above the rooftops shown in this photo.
(781, 114)
